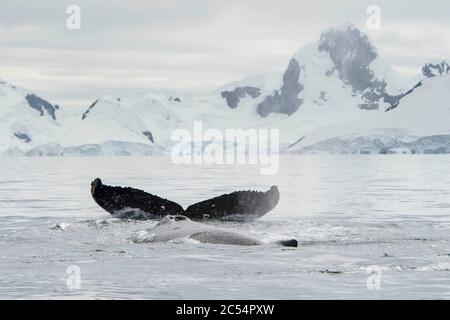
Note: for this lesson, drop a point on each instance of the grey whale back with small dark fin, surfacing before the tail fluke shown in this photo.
(174, 227)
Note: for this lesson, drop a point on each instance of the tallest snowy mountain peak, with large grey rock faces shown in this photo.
(344, 59)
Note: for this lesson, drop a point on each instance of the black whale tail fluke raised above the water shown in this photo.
(137, 204)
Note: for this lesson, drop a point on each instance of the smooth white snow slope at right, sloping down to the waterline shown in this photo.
(420, 124)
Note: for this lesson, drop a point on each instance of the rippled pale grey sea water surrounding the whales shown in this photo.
(369, 227)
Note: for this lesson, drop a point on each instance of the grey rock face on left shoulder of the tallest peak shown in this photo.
(286, 100)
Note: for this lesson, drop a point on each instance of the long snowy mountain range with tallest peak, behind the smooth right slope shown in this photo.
(339, 79)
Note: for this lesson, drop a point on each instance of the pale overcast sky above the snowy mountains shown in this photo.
(126, 47)
